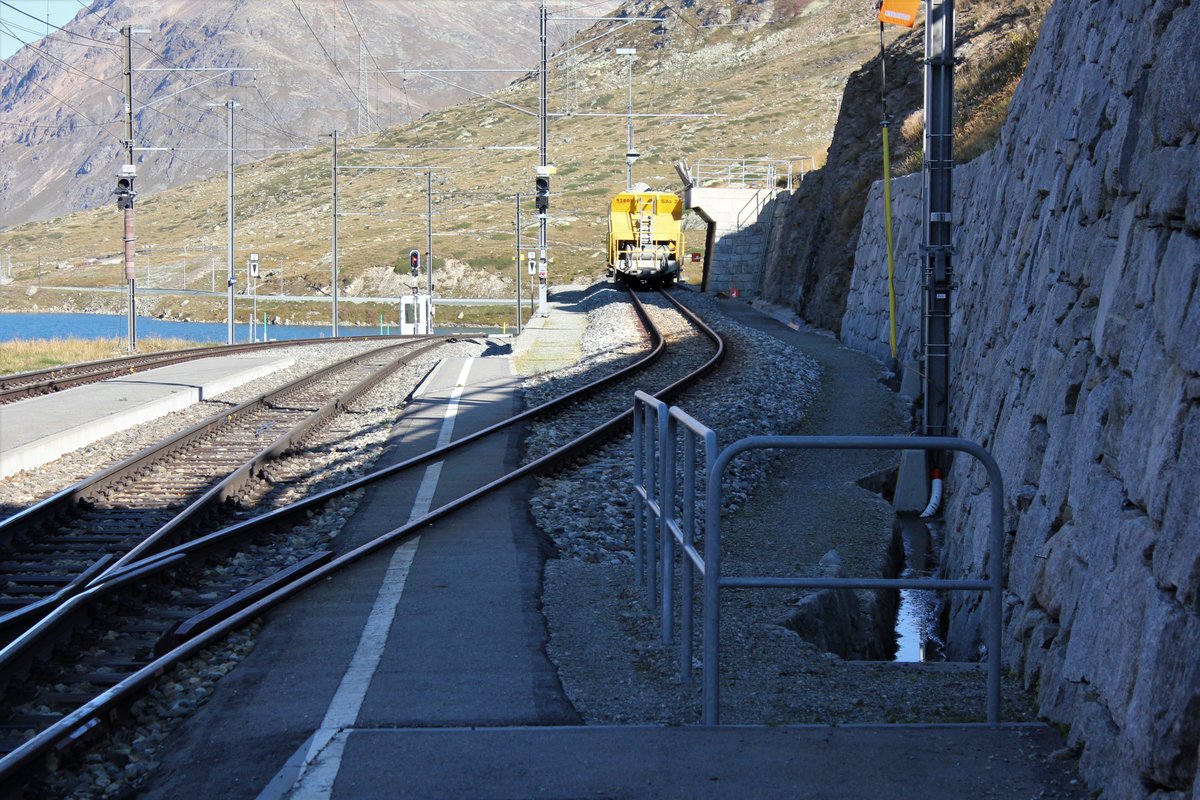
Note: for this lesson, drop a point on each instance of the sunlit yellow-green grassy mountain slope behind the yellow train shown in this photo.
(766, 86)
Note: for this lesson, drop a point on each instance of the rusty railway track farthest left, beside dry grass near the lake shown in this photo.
(45, 382)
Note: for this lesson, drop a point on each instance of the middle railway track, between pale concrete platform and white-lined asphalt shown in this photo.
(159, 497)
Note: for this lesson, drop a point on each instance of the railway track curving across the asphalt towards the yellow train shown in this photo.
(145, 605)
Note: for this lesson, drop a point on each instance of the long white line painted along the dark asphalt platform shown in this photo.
(323, 757)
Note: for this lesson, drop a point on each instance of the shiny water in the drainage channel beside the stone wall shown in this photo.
(919, 628)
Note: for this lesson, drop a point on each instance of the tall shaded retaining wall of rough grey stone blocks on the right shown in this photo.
(1077, 362)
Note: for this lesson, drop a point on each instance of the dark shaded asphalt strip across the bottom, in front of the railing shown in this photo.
(695, 763)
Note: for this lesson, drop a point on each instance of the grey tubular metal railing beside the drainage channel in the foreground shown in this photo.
(656, 502)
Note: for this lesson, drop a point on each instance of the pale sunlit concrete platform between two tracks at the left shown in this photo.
(37, 431)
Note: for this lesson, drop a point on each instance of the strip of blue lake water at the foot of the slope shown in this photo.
(50, 327)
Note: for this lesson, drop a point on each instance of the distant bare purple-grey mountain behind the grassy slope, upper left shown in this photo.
(63, 98)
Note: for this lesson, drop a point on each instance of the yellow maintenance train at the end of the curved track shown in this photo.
(645, 236)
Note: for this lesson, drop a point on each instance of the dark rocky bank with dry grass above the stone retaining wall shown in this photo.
(814, 237)
